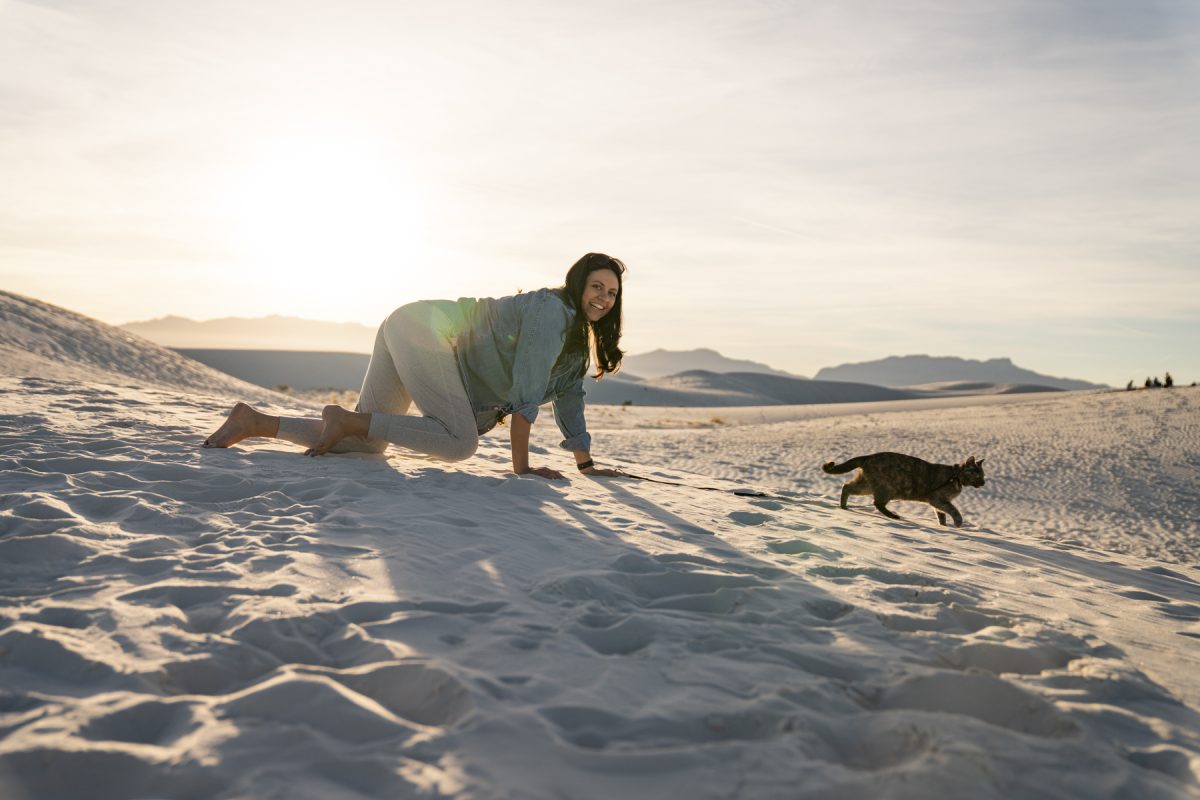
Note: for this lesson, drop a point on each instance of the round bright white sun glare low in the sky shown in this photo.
(310, 209)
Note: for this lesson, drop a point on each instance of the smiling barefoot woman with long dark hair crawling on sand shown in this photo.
(467, 365)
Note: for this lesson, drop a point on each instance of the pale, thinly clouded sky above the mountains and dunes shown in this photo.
(801, 184)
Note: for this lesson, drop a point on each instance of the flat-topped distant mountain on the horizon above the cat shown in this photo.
(919, 370)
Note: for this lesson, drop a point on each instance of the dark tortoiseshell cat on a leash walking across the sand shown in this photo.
(896, 477)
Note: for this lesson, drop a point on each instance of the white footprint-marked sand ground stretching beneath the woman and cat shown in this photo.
(184, 623)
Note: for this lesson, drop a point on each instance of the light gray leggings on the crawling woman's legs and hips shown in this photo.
(413, 362)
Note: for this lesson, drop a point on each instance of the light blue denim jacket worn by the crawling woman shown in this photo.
(512, 360)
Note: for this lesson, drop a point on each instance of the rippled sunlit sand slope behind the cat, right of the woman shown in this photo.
(1113, 471)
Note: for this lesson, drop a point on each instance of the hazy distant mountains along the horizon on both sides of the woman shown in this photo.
(309, 354)
